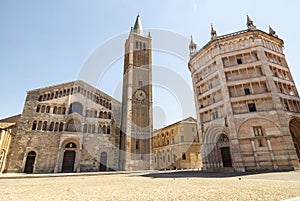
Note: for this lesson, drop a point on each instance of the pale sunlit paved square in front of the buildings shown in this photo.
(185, 185)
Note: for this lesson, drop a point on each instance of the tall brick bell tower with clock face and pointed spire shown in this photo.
(136, 123)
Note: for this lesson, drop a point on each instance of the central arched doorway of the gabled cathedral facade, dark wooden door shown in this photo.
(69, 157)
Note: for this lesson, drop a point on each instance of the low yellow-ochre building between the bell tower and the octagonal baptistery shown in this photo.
(177, 146)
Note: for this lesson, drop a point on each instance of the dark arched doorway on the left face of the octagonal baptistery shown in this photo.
(224, 147)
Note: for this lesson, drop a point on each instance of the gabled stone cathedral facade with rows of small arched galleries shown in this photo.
(70, 127)
